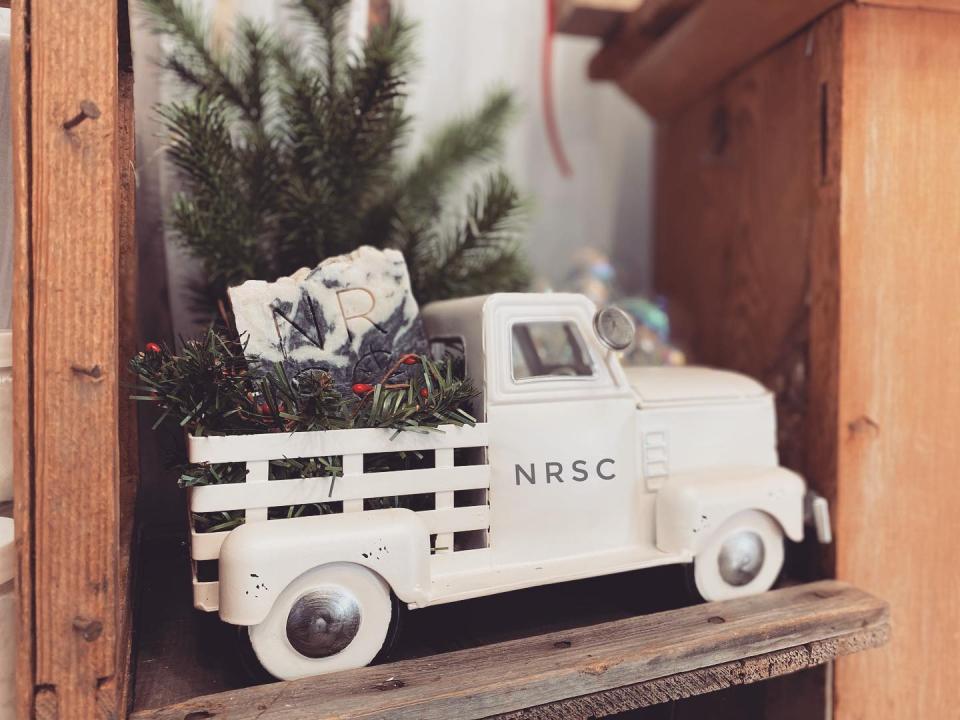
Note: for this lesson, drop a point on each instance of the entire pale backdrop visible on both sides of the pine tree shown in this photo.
(468, 47)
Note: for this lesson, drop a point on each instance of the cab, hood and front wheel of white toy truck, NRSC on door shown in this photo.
(601, 467)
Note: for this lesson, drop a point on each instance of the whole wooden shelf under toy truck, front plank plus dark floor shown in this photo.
(571, 671)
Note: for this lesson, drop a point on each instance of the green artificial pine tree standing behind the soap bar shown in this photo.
(289, 154)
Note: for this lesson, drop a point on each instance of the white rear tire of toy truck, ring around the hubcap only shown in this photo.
(379, 624)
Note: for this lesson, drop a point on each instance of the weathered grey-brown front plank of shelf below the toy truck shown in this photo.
(640, 660)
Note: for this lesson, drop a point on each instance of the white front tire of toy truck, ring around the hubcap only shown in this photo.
(707, 579)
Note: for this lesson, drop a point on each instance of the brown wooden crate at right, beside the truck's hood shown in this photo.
(808, 224)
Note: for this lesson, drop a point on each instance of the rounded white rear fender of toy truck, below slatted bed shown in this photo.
(258, 560)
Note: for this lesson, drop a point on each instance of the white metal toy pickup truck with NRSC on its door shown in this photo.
(577, 467)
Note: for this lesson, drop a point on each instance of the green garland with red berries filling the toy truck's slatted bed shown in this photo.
(207, 389)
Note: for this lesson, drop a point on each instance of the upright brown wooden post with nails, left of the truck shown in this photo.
(72, 251)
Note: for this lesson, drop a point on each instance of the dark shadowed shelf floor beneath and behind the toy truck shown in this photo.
(172, 635)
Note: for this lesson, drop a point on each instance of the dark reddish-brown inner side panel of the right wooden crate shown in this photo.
(745, 188)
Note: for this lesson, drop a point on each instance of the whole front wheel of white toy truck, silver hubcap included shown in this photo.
(744, 557)
